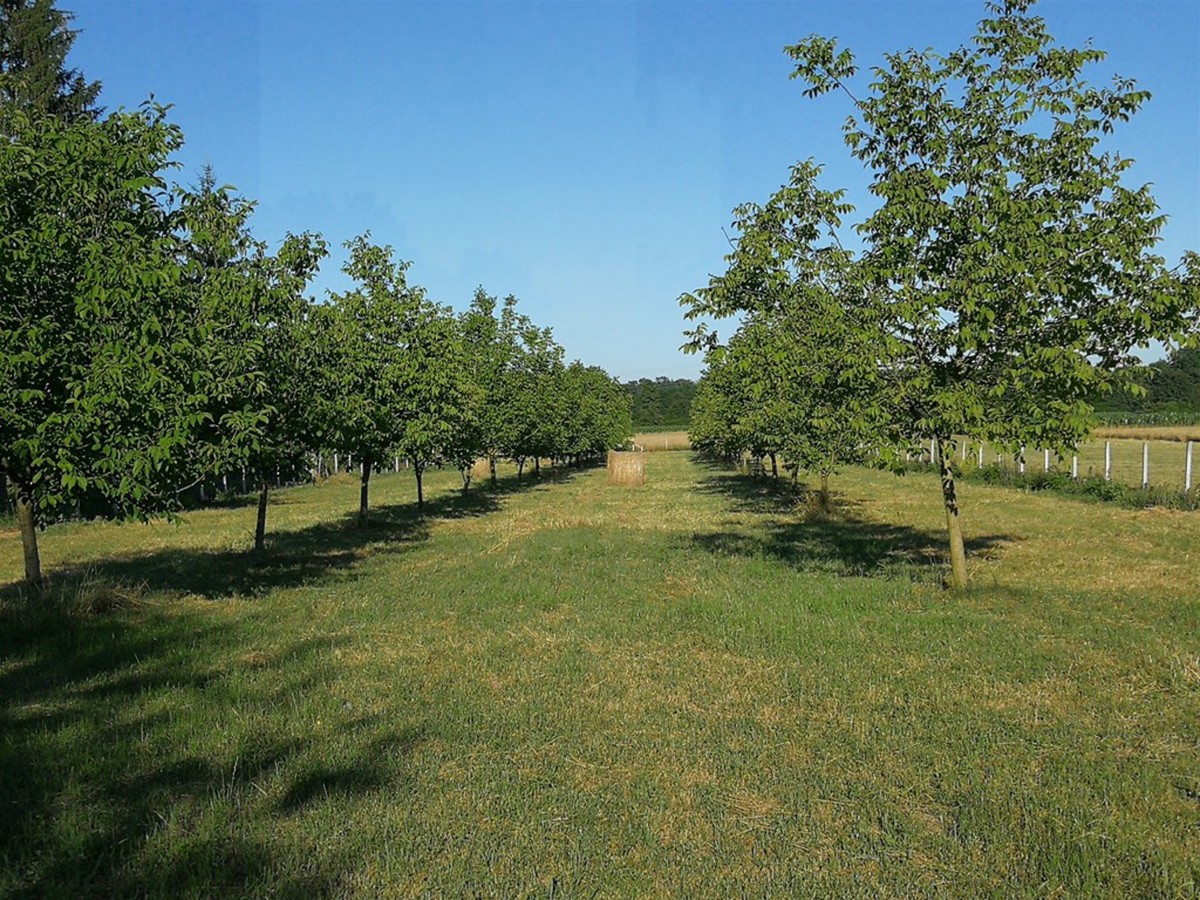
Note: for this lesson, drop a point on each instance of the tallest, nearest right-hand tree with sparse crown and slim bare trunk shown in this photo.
(1009, 272)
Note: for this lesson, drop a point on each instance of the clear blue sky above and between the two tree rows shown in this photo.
(584, 157)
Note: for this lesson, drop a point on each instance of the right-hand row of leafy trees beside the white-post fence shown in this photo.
(1006, 277)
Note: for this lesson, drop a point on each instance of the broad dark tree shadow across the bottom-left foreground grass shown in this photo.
(140, 759)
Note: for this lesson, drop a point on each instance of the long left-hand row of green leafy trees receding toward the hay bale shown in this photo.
(151, 343)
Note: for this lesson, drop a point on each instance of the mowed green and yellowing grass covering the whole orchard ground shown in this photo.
(567, 689)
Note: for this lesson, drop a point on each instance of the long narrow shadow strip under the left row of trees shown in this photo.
(292, 559)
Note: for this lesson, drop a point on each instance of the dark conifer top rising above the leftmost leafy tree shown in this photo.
(35, 40)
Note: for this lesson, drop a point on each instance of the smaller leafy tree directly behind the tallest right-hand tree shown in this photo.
(805, 362)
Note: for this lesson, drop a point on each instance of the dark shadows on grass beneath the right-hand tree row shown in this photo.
(839, 542)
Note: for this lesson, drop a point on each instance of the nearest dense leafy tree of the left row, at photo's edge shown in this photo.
(92, 321)
